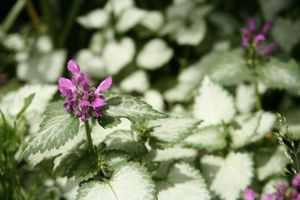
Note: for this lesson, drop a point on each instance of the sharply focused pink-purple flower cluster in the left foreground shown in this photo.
(85, 101)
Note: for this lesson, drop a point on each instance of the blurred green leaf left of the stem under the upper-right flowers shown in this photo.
(229, 68)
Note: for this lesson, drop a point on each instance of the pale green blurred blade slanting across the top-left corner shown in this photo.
(13, 14)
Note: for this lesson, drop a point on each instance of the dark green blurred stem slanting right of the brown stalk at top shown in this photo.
(69, 22)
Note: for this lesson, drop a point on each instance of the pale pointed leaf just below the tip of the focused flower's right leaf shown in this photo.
(171, 131)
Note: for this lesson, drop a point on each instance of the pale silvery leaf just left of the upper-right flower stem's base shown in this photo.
(247, 125)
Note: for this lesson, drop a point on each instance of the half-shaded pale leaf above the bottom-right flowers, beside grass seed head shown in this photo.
(270, 162)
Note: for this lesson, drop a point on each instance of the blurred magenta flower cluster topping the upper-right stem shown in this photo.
(249, 36)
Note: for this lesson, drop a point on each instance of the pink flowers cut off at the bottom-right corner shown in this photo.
(293, 193)
